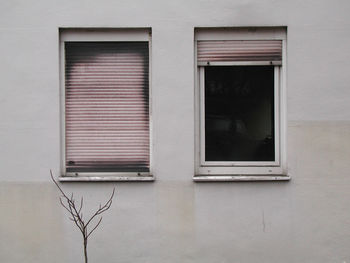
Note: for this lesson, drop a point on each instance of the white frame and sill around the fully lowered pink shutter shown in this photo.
(101, 35)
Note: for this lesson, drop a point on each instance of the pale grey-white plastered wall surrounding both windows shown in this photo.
(174, 219)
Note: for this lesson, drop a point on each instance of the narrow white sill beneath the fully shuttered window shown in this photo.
(106, 178)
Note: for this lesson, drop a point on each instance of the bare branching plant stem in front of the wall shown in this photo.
(77, 216)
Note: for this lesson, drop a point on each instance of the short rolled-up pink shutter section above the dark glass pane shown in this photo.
(239, 50)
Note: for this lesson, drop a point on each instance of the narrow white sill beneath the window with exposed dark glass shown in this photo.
(241, 178)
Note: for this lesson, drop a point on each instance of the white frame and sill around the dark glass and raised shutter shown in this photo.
(242, 171)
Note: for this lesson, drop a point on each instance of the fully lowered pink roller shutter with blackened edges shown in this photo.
(107, 106)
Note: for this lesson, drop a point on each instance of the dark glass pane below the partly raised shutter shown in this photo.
(239, 113)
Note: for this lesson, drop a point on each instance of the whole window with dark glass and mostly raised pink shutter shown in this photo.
(240, 99)
